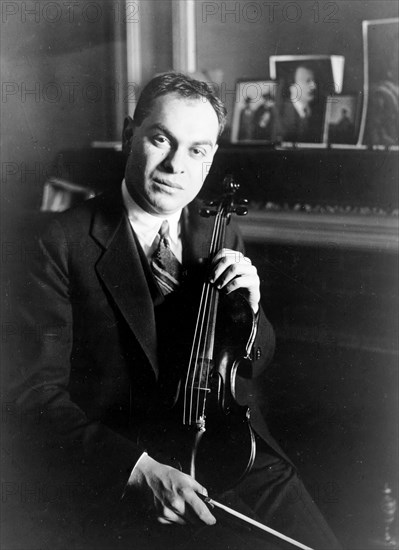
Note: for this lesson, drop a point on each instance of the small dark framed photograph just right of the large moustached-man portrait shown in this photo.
(341, 119)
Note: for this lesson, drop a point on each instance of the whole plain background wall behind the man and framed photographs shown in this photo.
(73, 62)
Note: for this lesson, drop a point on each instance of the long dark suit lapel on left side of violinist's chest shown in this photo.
(121, 270)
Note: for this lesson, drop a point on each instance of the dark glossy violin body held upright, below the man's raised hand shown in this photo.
(221, 450)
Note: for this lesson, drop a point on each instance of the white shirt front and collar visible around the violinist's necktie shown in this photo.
(146, 226)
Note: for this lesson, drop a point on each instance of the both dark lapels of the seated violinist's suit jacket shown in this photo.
(120, 267)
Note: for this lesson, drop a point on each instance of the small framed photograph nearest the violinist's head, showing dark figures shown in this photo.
(255, 115)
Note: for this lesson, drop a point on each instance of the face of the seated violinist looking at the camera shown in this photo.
(170, 153)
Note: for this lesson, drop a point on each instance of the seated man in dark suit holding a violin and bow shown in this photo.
(112, 329)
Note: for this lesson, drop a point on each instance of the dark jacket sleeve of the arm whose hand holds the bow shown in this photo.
(54, 424)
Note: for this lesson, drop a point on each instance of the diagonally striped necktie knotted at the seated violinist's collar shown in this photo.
(164, 264)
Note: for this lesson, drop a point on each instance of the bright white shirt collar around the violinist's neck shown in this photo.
(146, 225)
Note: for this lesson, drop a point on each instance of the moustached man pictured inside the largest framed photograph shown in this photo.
(300, 116)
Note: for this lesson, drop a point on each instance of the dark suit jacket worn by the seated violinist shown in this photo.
(85, 378)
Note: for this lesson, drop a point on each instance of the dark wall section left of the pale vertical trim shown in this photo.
(58, 76)
